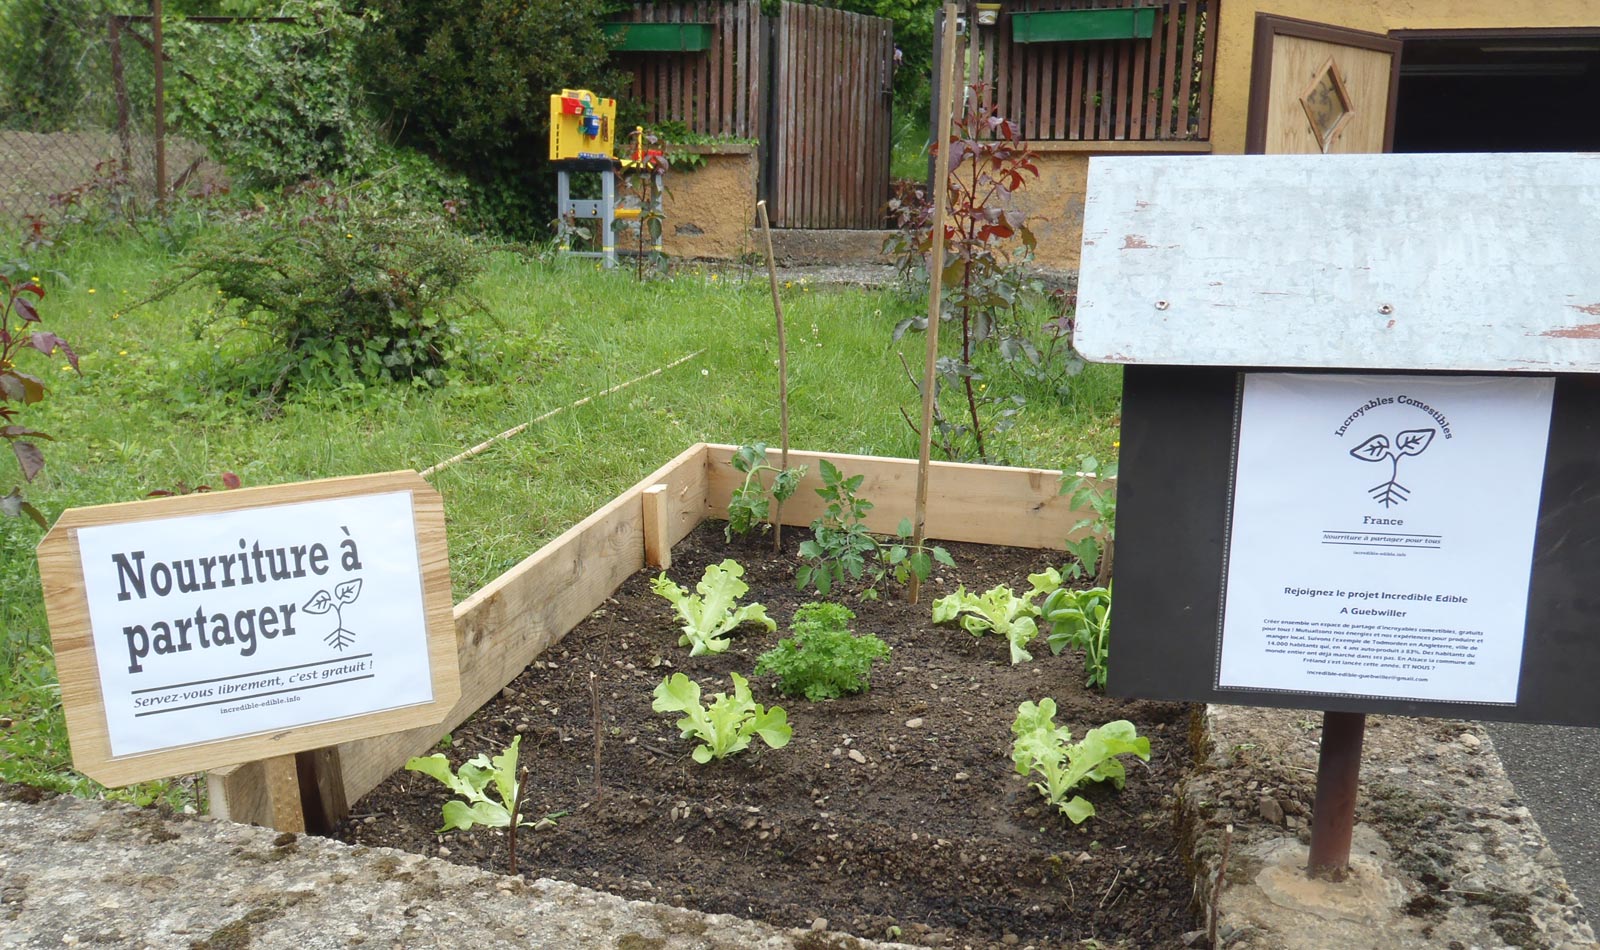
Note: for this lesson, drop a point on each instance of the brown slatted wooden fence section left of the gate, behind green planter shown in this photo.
(719, 92)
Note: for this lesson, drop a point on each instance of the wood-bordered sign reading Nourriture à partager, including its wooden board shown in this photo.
(214, 629)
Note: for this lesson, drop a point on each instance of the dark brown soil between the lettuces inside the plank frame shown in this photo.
(892, 813)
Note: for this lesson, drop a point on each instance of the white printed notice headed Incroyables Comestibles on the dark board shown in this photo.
(1383, 535)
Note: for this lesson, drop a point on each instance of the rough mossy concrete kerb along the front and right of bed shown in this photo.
(1447, 856)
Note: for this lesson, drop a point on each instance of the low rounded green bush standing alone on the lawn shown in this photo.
(343, 287)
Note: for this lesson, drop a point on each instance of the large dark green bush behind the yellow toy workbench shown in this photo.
(470, 82)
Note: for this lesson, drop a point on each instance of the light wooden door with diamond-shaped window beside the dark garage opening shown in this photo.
(1321, 89)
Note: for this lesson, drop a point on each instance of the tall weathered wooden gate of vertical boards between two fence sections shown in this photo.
(830, 134)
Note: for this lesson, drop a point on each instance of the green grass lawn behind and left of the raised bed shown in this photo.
(159, 407)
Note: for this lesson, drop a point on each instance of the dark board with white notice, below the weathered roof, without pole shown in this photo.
(1186, 461)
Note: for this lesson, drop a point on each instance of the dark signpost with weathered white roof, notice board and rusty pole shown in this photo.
(1358, 468)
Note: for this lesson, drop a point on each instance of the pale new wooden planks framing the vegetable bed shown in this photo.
(532, 607)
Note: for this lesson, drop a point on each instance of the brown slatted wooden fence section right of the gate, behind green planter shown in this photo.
(1156, 89)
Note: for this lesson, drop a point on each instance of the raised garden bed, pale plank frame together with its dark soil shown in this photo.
(892, 813)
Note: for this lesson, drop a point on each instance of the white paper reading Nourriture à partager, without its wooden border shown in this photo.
(239, 623)
